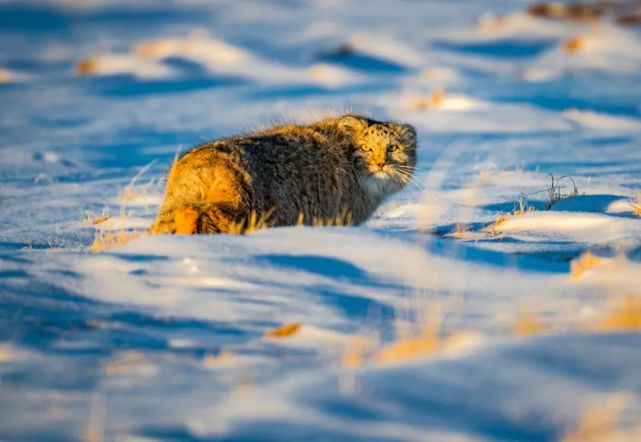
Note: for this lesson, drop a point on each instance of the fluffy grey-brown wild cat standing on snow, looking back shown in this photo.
(292, 172)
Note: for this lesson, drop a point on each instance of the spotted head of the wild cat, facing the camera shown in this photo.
(384, 152)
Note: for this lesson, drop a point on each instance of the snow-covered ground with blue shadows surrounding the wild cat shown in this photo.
(438, 320)
